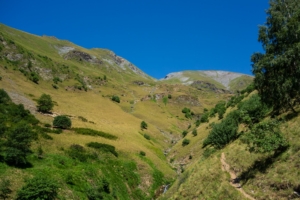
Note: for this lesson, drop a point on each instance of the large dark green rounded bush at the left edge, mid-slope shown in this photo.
(17, 145)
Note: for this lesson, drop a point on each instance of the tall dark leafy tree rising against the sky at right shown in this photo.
(277, 70)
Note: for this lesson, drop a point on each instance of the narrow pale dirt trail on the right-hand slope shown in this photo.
(234, 180)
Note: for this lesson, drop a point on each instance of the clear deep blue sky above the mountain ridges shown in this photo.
(158, 36)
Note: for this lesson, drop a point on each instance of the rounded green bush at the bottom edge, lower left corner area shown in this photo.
(40, 187)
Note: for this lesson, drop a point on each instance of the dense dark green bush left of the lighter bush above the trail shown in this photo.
(222, 133)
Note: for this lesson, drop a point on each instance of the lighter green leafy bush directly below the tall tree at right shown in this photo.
(265, 137)
